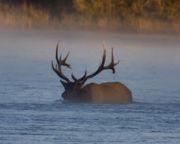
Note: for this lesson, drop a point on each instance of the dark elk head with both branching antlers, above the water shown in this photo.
(74, 86)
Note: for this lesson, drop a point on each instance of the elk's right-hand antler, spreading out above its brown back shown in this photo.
(101, 67)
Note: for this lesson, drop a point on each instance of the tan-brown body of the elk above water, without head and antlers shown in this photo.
(110, 92)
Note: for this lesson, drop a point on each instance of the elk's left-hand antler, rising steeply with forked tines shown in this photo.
(60, 62)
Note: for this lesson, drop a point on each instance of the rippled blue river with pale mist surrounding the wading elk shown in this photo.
(31, 107)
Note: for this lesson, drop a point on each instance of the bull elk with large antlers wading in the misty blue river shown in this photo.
(77, 91)
